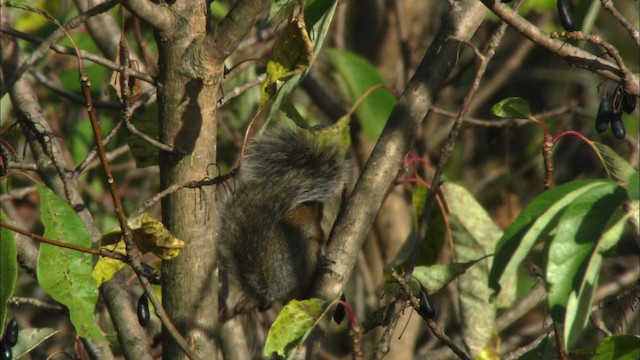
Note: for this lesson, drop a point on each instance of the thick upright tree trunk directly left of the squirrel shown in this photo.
(187, 106)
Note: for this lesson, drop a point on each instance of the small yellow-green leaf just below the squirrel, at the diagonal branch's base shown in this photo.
(293, 322)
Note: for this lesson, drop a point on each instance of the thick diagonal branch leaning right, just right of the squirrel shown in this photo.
(354, 222)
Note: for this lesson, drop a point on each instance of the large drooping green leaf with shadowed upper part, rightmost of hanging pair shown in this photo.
(573, 261)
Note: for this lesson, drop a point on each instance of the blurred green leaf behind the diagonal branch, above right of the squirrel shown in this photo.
(359, 76)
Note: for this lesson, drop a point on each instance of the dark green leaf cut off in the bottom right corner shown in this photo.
(617, 347)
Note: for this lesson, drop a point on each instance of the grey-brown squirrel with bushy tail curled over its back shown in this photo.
(273, 227)
